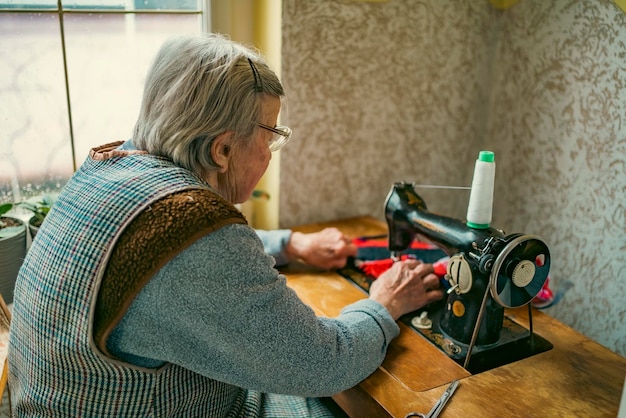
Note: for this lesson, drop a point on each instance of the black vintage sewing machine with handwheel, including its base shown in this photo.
(487, 272)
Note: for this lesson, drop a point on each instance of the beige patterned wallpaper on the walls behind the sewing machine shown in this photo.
(414, 89)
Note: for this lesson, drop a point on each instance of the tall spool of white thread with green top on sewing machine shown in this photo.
(481, 195)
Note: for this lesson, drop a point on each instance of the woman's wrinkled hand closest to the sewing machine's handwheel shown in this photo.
(408, 285)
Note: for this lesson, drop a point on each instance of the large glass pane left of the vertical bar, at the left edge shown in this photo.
(35, 145)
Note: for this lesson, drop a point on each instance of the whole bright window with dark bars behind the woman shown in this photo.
(71, 78)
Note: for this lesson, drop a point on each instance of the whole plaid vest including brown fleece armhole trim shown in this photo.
(117, 221)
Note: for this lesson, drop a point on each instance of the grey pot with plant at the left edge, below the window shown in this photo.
(12, 250)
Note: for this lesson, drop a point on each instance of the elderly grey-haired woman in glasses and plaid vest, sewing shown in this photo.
(147, 294)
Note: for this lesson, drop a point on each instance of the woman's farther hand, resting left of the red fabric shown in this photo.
(326, 249)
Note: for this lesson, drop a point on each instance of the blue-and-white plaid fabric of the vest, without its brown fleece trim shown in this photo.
(55, 367)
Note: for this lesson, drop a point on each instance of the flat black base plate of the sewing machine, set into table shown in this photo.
(515, 342)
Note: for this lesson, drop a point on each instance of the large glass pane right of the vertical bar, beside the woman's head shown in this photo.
(108, 58)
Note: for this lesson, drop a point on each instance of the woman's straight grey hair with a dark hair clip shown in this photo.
(198, 88)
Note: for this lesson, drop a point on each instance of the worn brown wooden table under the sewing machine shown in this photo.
(577, 377)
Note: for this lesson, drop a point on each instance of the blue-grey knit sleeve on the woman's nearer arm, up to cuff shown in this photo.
(222, 310)
